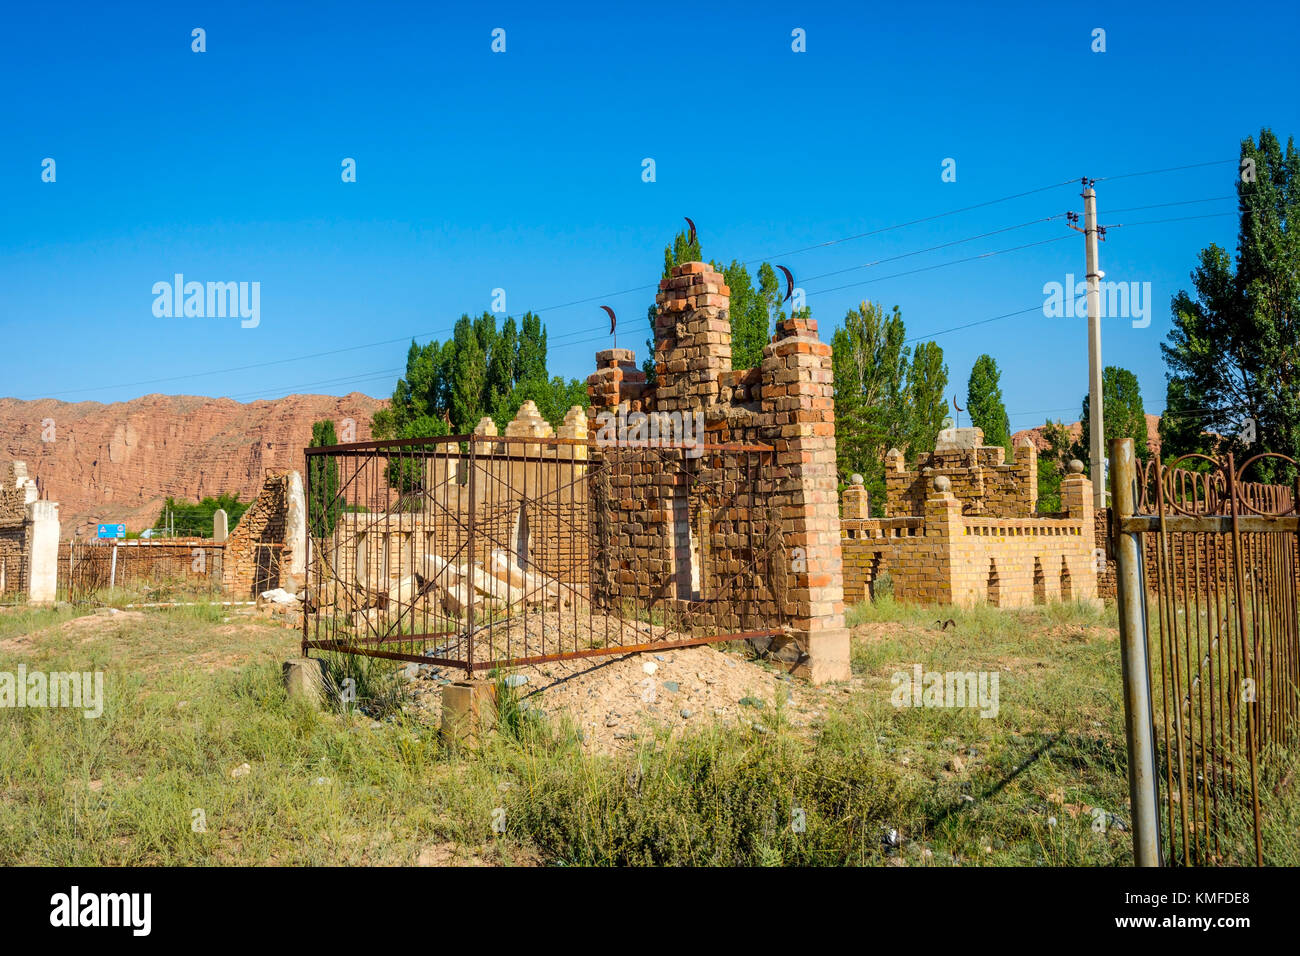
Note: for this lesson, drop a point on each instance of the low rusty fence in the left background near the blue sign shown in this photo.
(161, 569)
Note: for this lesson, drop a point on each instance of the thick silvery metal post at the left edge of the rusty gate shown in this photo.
(1143, 782)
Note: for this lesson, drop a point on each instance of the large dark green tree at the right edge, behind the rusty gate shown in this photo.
(1233, 351)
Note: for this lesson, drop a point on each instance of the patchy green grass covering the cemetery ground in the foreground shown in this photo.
(196, 694)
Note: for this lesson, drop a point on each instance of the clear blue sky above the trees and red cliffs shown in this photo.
(523, 171)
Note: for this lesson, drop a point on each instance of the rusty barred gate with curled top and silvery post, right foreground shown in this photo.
(1212, 693)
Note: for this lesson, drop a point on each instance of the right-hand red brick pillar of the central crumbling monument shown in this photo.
(799, 413)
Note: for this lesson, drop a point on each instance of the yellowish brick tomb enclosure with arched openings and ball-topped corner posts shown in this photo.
(963, 530)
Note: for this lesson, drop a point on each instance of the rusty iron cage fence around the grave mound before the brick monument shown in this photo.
(483, 552)
